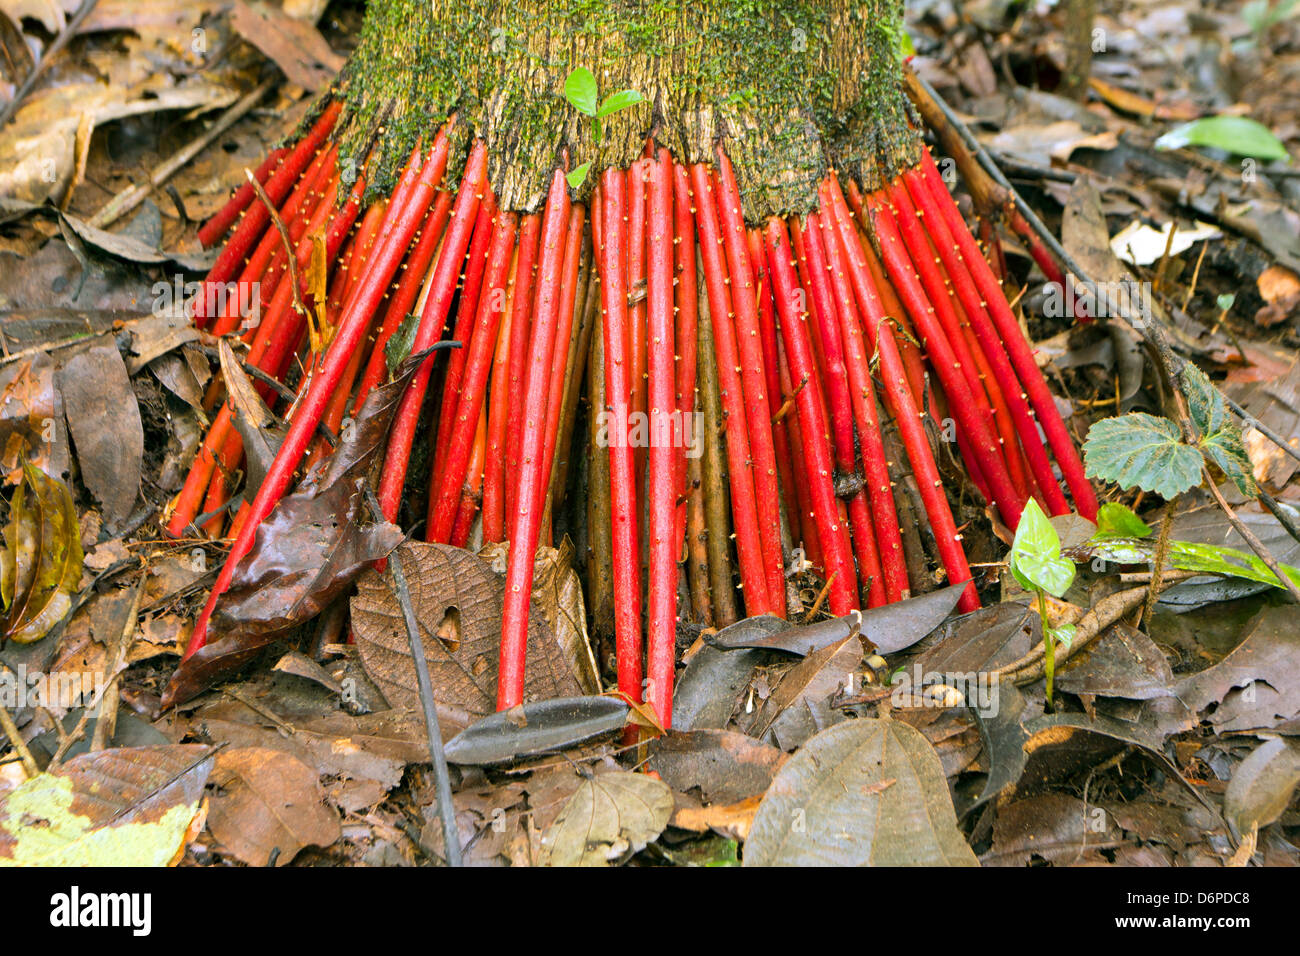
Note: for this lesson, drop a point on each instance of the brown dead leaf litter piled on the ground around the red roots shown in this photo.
(1171, 725)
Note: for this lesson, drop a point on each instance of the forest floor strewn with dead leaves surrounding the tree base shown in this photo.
(1175, 741)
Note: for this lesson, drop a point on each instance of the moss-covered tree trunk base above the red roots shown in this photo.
(791, 88)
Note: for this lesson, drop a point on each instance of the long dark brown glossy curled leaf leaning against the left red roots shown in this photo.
(307, 552)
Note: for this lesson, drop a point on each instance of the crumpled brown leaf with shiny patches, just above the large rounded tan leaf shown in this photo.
(800, 704)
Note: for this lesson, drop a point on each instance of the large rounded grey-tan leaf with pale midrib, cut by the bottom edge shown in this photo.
(865, 793)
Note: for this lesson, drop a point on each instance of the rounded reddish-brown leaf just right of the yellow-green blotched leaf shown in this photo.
(268, 801)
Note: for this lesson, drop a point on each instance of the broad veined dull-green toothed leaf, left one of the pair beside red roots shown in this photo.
(1141, 451)
